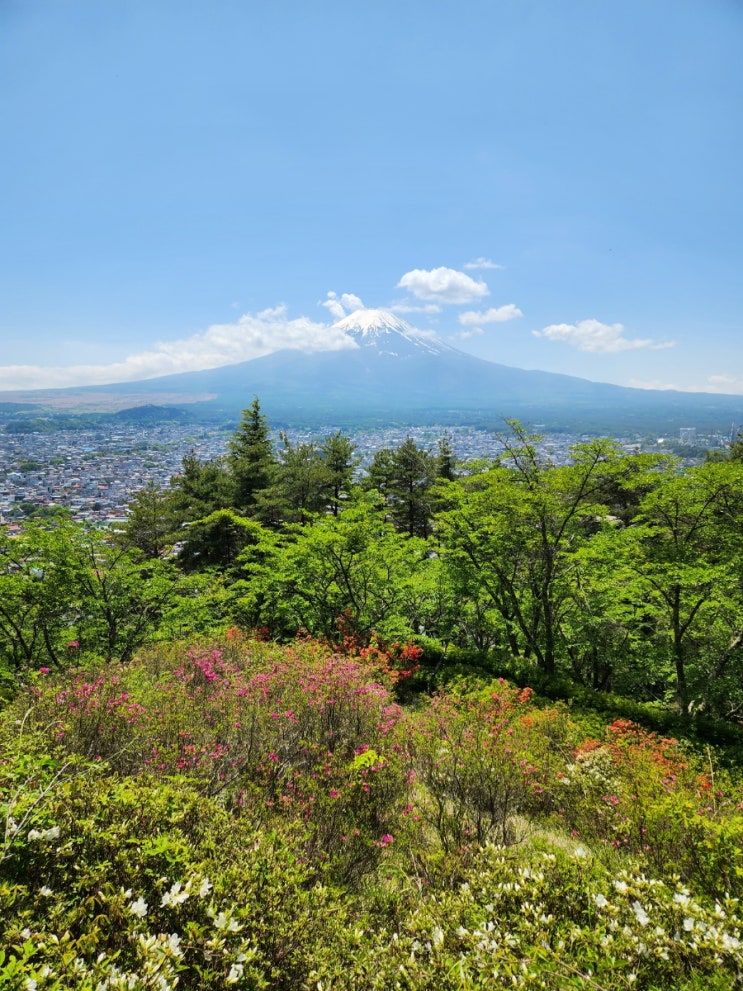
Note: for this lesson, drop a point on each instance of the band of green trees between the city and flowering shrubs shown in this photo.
(622, 572)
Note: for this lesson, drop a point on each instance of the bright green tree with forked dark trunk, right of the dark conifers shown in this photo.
(508, 538)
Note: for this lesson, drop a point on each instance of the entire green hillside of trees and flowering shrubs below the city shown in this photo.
(293, 727)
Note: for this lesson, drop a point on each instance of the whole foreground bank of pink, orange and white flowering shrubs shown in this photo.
(250, 815)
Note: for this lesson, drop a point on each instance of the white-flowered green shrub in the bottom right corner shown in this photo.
(538, 917)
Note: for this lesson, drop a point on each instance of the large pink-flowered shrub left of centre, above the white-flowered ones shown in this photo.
(272, 731)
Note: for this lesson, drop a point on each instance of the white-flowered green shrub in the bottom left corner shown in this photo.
(146, 885)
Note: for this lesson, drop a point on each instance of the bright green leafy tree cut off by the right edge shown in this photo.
(677, 570)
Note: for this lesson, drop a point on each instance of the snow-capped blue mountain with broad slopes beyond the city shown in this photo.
(396, 373)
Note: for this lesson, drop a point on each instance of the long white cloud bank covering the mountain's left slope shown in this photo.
(251, 336)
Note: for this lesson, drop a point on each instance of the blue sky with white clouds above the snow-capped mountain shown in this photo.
(545, 184)
